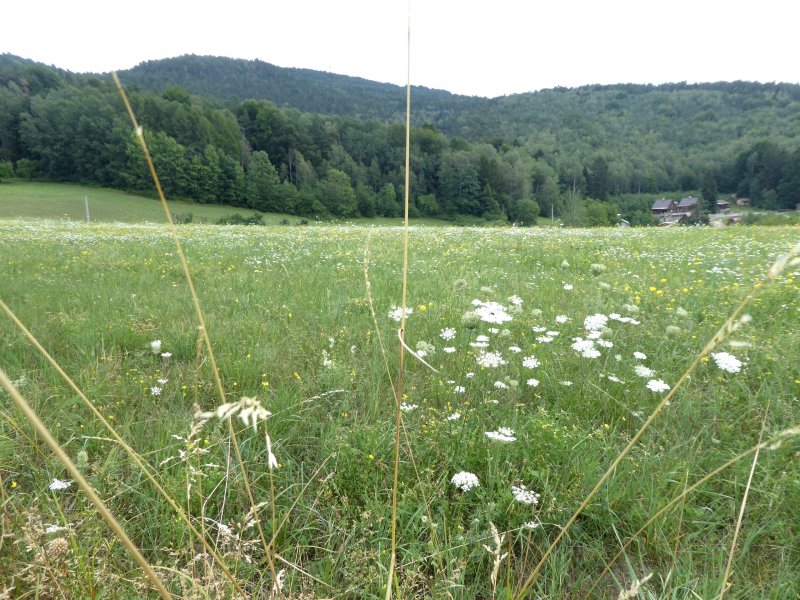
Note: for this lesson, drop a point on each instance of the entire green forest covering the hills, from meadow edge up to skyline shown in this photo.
(246, 133)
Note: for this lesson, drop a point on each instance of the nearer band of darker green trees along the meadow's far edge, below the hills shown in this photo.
(64, 127)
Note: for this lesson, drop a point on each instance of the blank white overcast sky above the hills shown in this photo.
(486, 48)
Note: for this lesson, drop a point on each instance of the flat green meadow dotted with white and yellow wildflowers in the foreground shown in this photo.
(535, 396)
